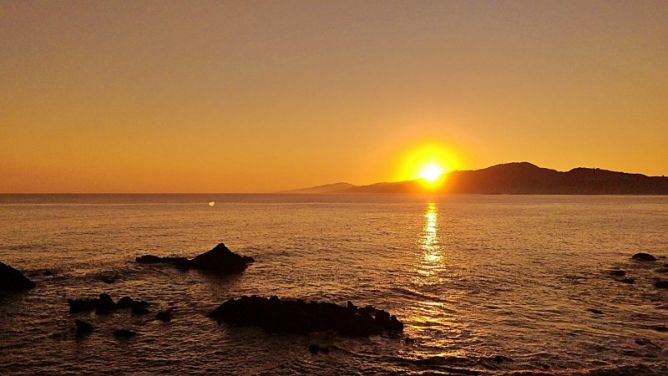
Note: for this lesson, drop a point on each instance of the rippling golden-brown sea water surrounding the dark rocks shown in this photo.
(484, 284)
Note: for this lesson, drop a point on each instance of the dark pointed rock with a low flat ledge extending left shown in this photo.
(218, 260)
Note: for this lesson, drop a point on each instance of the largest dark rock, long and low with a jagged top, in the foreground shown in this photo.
(301, 317)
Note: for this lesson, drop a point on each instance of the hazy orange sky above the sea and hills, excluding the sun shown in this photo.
(257, 96)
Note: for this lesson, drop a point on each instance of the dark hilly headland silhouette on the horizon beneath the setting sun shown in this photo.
(520, 178)
